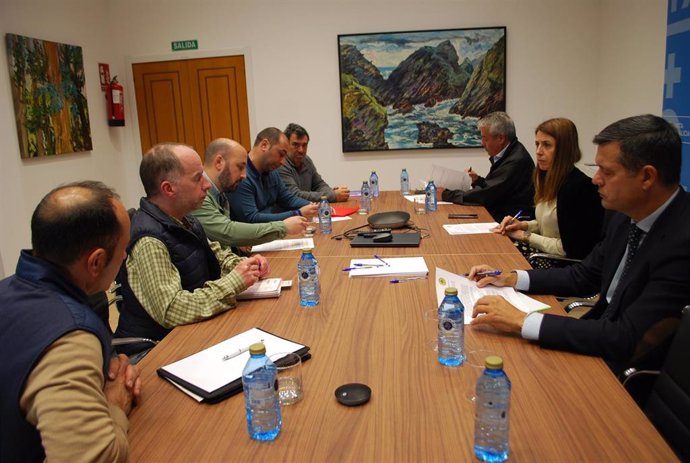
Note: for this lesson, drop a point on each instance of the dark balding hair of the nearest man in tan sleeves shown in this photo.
(61, 233)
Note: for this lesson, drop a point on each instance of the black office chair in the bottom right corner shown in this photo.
(668, 406)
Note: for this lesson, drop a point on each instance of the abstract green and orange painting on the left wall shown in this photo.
(50, 107)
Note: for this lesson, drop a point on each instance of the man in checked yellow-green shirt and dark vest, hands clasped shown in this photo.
(173, 274)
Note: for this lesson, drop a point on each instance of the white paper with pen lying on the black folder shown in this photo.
(223, 363)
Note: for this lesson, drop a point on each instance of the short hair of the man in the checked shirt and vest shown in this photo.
(158, 164)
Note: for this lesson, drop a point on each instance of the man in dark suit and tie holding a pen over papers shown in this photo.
(641, 268)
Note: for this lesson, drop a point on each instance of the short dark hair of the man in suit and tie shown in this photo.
(646, 140)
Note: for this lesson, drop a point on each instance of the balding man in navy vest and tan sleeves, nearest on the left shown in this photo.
(62, 396)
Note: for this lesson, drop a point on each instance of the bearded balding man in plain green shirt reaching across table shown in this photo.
(225, 166)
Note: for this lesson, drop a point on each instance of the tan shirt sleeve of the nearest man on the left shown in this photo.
(64, 399)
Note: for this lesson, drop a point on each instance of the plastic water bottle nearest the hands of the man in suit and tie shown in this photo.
(451, 329)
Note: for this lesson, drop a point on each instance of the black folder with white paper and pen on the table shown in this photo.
(214, 374)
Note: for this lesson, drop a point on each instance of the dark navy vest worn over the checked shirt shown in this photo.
(190, 253)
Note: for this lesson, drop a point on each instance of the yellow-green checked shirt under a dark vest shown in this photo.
(156, 283)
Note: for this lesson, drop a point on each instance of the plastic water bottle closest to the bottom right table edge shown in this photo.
(491, 416)
